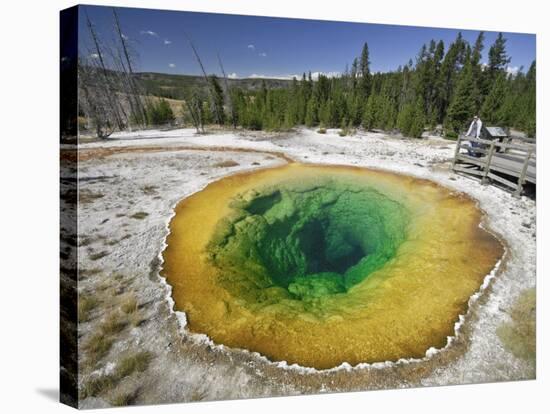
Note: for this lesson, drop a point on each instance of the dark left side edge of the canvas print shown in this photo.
(68, 206)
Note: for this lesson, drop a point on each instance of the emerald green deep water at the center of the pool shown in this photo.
(306, 240)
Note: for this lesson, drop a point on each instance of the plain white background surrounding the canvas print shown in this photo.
(29, 286)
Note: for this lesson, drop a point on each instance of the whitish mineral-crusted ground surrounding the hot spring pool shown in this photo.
(151, 171)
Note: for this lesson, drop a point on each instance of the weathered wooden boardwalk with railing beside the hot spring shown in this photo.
(508, 164)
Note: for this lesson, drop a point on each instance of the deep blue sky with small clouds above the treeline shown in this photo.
(274, 47)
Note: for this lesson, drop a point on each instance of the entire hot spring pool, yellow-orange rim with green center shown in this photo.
(320, 265)
